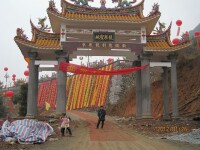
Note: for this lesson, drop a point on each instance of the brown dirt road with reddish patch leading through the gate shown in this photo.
(112, 137)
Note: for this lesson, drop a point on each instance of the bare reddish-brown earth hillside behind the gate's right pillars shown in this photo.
(188, 76)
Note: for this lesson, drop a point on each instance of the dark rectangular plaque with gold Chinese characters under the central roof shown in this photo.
(103, 36)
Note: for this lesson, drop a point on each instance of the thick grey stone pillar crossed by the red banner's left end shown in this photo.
(61, 85)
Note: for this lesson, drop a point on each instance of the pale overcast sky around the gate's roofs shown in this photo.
(17, 13)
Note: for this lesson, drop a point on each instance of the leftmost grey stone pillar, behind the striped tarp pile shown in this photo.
(32, 87)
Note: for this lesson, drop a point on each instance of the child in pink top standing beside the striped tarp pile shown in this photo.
(65, 124)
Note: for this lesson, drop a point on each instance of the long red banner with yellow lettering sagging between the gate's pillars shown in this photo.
(67, 67)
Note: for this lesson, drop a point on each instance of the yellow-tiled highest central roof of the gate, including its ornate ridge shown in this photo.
(132, 13)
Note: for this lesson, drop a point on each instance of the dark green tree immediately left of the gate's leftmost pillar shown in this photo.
(21, 99)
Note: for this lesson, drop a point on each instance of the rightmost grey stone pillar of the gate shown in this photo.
(175, 112)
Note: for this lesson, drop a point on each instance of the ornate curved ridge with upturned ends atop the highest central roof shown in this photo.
(136, 10)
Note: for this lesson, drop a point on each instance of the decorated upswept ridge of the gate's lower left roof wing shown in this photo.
(37, 33)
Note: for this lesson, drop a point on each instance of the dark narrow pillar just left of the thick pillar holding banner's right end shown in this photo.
(138, 91)
